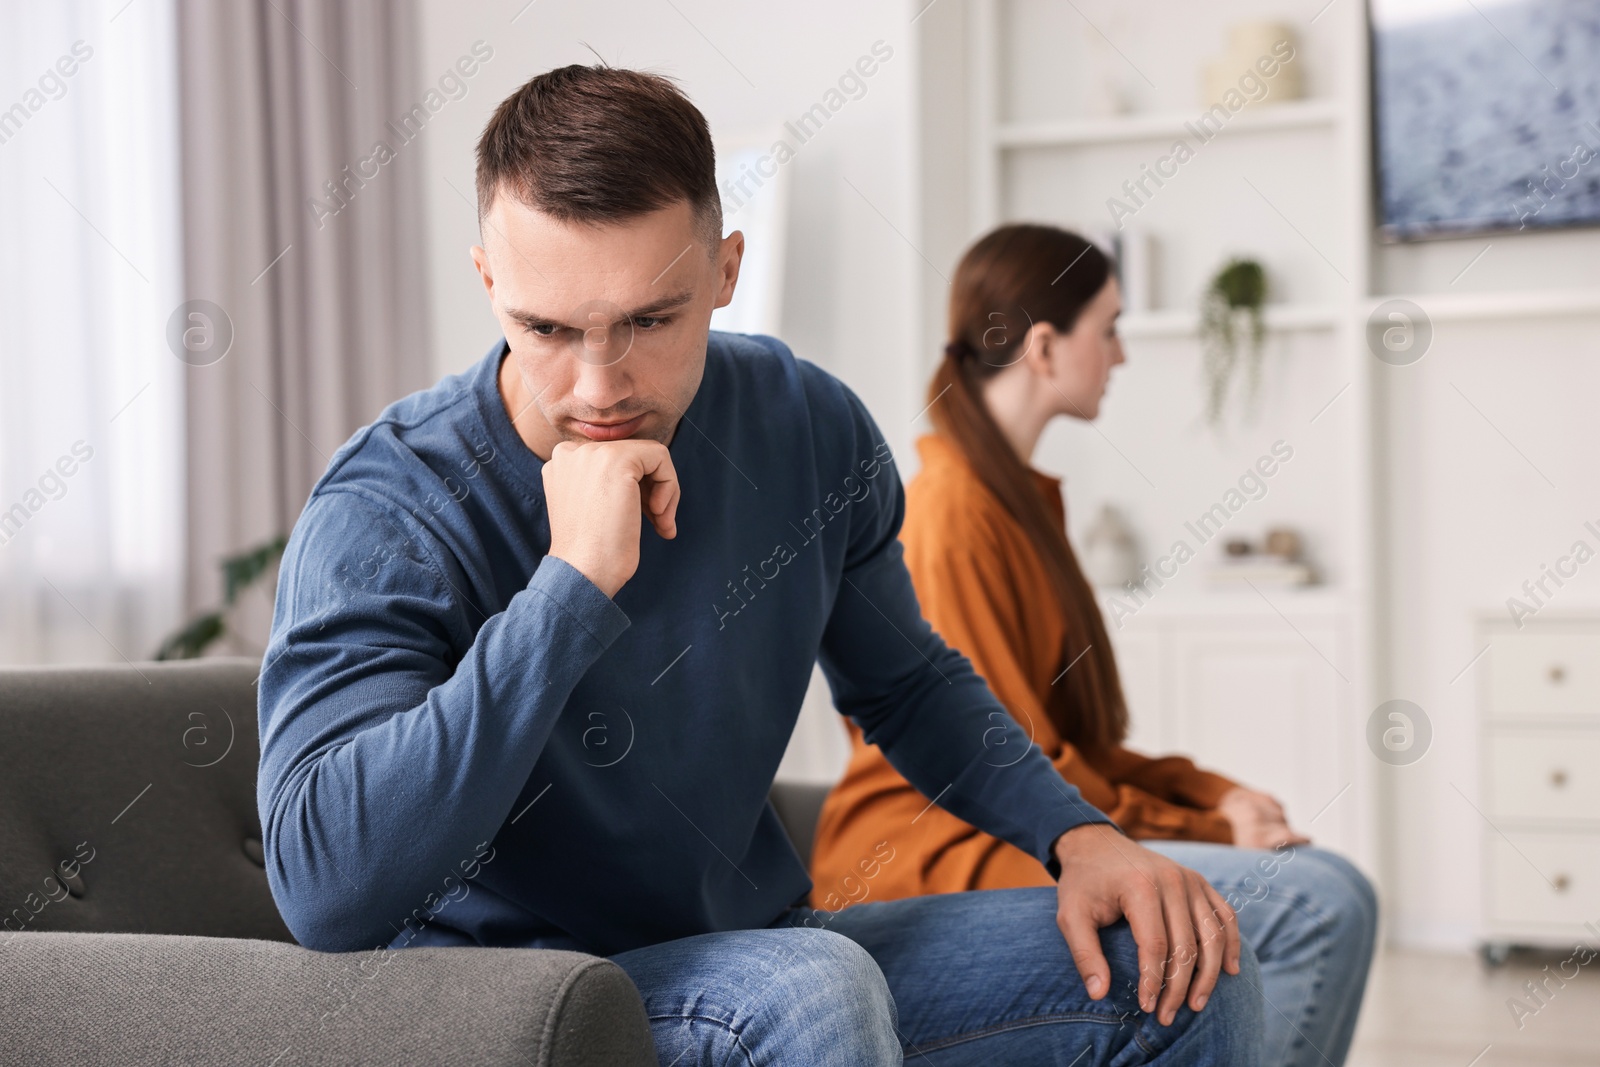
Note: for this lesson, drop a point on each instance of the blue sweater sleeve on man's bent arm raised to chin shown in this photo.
(393, 740)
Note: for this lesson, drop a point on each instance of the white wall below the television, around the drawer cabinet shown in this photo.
(1471, 441)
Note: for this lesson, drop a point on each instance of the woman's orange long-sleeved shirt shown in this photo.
(985, 589)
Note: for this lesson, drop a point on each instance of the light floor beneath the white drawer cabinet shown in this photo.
(1434, 1010)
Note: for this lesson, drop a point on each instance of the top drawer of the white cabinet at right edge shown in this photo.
(1545, 674)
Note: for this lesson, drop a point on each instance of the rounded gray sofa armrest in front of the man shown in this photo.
(158, 999)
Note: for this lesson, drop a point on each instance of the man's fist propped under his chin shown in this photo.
(598, 494)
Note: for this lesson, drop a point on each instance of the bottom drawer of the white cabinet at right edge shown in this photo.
(1566, 889)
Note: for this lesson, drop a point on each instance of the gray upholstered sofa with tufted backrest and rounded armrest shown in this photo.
(138, 927)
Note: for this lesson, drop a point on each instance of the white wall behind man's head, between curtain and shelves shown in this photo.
(849, 274)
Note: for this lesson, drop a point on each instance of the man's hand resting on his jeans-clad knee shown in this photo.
(1185, 930)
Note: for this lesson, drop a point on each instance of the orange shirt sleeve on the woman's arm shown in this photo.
(977, 604)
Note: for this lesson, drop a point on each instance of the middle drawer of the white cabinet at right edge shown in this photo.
(1545, 775)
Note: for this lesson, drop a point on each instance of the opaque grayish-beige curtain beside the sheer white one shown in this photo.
(302, 239)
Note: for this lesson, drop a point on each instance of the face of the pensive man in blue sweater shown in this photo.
(607, 324)
